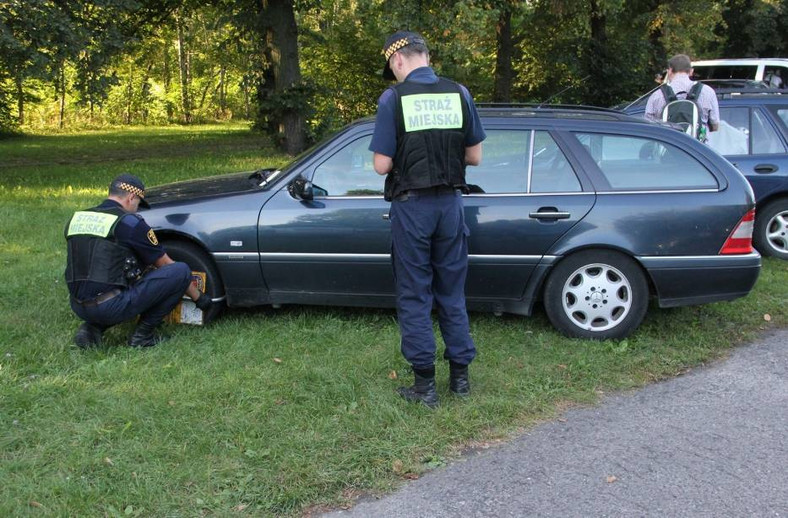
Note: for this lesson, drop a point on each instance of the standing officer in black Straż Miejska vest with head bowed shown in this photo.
(426, 131)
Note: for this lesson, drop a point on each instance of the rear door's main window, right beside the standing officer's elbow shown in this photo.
(504, 166)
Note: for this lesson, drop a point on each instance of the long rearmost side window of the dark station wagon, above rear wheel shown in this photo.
(637, 163)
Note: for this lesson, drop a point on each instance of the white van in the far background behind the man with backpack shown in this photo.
(758, 69)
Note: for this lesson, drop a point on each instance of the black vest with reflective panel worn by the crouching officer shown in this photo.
(93, 252)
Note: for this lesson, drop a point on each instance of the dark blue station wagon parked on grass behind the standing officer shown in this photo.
(590, 212)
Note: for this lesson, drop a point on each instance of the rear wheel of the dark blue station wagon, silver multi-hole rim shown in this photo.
(597, 294)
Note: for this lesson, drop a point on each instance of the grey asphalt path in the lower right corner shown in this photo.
(711, 443)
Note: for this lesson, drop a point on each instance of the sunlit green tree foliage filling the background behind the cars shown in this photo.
(117, 61)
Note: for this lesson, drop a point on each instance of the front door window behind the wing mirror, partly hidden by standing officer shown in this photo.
(350, 171)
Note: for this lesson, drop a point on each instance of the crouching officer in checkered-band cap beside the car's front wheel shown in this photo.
(109, 248)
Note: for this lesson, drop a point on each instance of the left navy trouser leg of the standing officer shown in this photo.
(411, 228)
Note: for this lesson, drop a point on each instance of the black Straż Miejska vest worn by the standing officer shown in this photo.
(432, 120)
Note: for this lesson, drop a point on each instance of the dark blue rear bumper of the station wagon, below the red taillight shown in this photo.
(690, 280)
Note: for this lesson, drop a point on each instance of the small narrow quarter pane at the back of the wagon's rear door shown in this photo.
(550, 170)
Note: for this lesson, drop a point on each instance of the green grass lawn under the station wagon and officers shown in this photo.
(265, 412)
